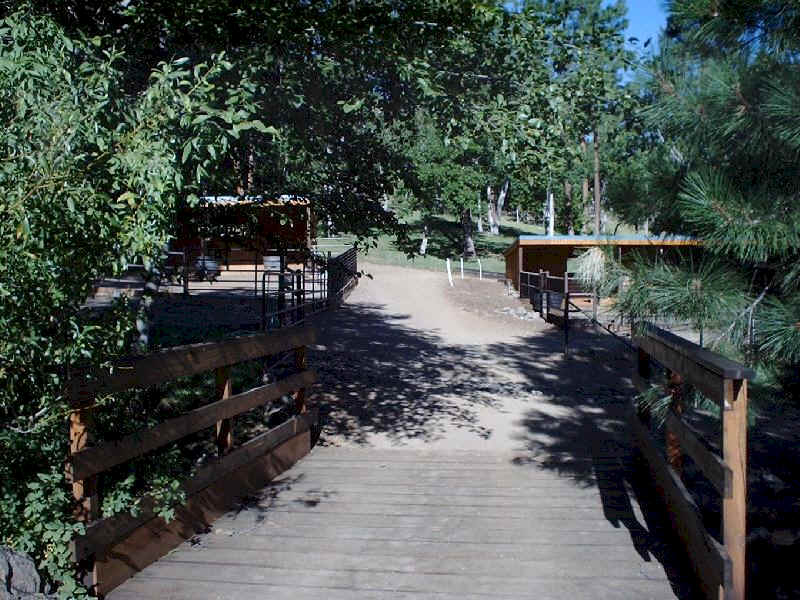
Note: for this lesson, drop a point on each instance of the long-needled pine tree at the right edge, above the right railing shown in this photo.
(726, 90)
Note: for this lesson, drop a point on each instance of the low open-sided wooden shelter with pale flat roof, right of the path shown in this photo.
(529, 253)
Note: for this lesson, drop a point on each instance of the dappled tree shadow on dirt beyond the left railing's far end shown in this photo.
(379, 376)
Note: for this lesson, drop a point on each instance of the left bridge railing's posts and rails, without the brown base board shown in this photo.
(88, 461)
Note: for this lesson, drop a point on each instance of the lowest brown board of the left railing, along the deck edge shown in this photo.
(156, 538)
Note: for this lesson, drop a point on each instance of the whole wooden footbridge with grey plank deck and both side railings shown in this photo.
(266, 519)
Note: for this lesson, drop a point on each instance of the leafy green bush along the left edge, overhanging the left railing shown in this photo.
(89, 181)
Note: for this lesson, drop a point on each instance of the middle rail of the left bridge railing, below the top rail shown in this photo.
(97, 459)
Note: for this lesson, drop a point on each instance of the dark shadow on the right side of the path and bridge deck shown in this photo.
(582, 433)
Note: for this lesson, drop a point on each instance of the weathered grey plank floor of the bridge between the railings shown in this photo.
(366, 523)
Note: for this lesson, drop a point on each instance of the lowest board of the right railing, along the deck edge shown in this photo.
(710, 561)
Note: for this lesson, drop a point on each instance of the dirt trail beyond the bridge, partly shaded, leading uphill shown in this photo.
(411, 362)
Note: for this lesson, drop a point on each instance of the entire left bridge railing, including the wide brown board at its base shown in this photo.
(101, 553)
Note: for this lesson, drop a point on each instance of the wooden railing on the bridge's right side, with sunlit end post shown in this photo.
(720, 568)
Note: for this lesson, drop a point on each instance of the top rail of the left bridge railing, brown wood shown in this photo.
(182, 361)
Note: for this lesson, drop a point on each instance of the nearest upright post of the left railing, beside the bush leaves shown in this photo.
(84, 492)
